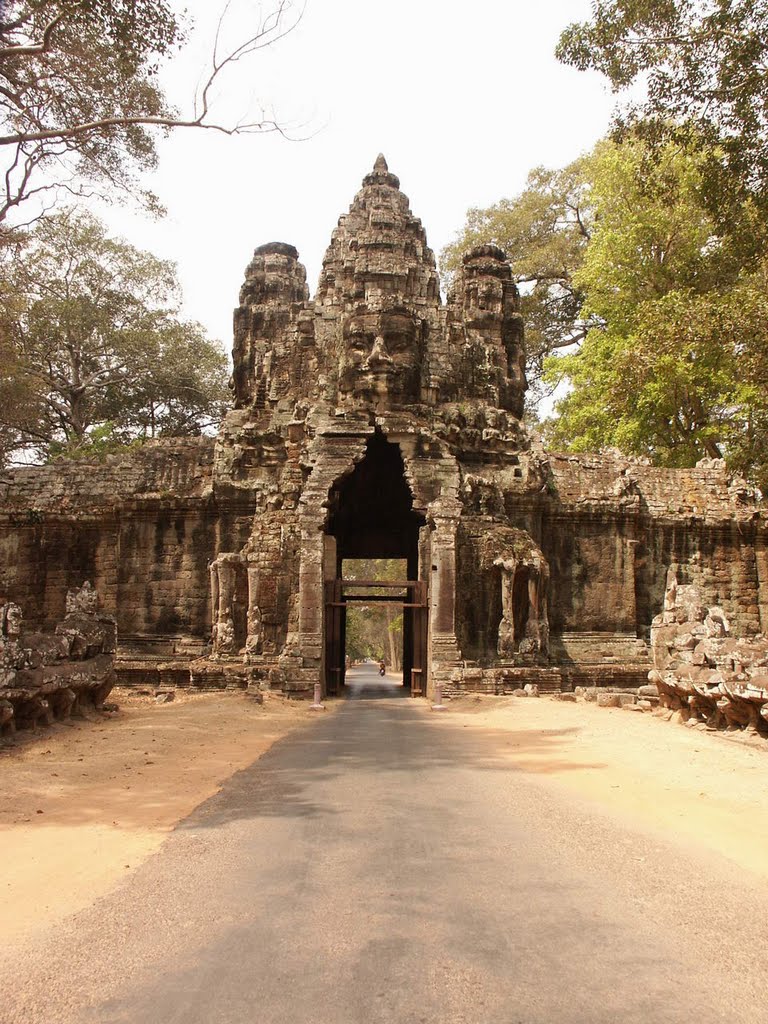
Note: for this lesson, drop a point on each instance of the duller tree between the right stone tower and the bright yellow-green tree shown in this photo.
(544, 231)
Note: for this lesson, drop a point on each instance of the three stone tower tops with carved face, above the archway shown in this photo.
(377, 335)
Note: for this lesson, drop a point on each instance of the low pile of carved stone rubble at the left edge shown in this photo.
(47, 677)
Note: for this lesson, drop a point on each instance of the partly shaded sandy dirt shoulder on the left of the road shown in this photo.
(89, 801)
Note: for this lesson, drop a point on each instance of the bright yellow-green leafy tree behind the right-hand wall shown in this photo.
(675, 365)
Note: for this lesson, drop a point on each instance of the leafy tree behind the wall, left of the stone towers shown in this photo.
(97, 355)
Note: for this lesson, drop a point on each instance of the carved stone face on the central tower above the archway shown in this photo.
(381, 356)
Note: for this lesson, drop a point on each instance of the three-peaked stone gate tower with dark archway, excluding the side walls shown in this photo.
(361, 418)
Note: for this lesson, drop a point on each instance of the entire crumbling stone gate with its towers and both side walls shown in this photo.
(375, 420)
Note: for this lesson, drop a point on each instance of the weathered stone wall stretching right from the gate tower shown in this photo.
(703, 522)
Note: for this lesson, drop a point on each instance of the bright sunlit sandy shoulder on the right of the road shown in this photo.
(707, 791)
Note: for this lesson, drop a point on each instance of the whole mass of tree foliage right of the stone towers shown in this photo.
(649, 258)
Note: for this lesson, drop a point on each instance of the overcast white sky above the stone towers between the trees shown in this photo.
(462, 99)
